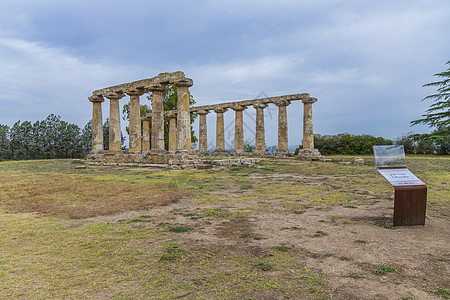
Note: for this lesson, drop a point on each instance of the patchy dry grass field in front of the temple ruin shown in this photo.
(270, 231)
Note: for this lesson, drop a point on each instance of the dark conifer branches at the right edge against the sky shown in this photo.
(438, 115)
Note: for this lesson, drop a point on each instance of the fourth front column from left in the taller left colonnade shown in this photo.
(157, 135)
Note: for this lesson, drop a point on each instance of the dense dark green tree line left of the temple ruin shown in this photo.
(47, 139)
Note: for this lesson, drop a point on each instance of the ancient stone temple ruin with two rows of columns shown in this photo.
(149, 147)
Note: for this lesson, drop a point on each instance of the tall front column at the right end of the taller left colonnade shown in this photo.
(183, 115)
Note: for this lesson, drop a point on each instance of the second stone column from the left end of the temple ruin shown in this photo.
(115, 134)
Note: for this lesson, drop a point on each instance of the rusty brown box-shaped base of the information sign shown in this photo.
(410, 205)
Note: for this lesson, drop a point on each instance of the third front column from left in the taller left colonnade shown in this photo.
(134, 128)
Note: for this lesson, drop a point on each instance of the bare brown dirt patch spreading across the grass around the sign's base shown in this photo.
(342, 244)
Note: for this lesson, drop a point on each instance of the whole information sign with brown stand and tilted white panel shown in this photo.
(410, 192)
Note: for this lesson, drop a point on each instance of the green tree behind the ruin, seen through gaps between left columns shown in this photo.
(170, 100)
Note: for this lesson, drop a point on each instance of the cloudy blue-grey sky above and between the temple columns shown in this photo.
(365, 61)
